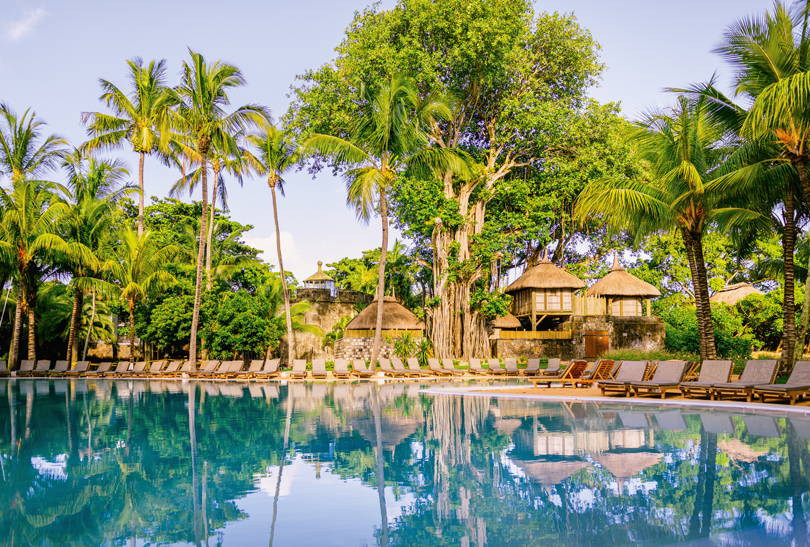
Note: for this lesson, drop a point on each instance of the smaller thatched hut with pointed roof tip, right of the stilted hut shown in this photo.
(625, 293)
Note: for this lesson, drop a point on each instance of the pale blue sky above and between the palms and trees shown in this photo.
(52, 54)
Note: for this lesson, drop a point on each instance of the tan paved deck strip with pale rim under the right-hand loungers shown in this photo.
(588, 395)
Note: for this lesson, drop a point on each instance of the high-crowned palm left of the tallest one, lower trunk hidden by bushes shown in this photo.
(140, 118)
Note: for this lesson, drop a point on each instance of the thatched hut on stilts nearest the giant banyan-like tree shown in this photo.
(544, 290)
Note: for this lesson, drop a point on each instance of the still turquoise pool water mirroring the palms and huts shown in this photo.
(164, 463)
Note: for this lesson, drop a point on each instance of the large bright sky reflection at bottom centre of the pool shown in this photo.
(325, 511)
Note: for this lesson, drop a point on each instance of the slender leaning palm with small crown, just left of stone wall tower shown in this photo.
(275, 155)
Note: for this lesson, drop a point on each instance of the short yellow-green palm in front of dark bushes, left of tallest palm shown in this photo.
(135, 270)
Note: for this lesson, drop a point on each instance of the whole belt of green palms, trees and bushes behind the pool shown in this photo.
(468, 128)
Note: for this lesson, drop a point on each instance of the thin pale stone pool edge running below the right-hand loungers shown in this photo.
(726, 406)
